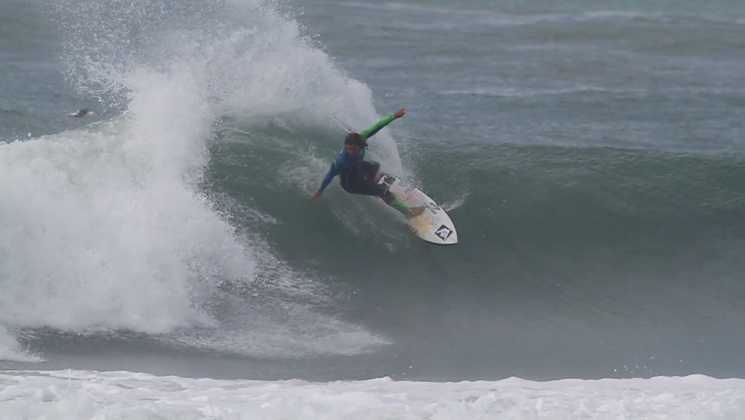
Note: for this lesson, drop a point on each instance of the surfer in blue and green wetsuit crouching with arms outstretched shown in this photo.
(359, 176)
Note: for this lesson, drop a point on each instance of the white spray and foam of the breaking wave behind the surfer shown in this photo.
(106, 229)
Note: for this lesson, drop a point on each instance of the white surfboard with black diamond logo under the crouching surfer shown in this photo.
(434, 225)
